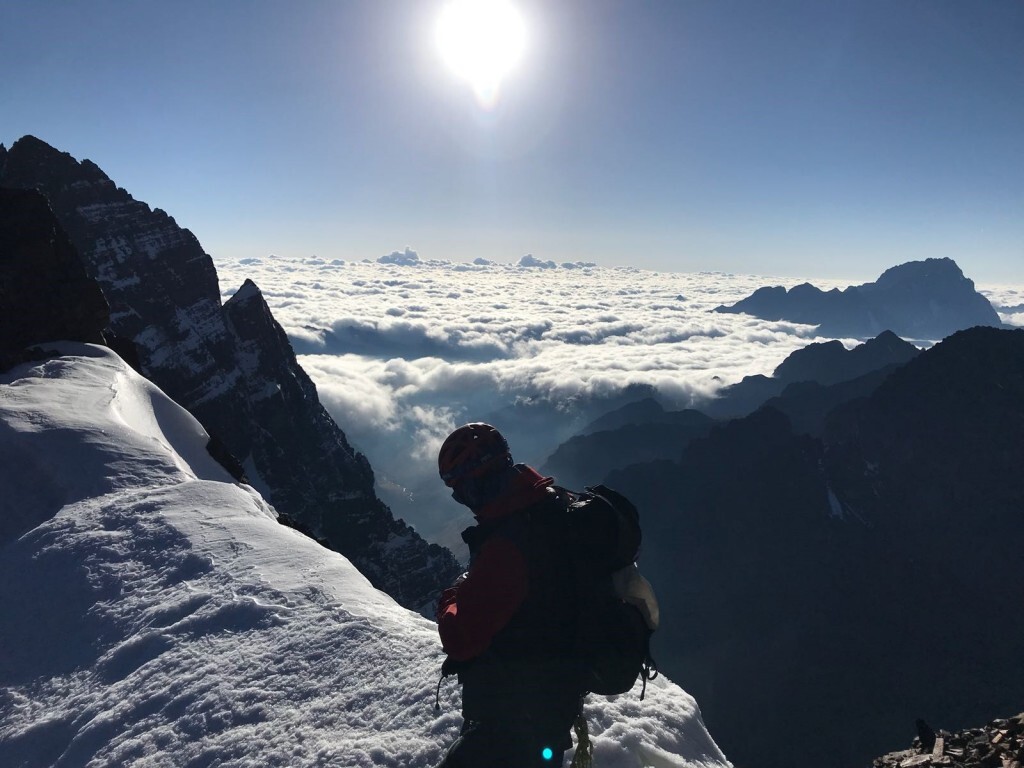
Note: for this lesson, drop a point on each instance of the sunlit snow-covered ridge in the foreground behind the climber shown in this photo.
(154, 613)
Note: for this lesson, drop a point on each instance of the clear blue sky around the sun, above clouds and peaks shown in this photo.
(817, 138)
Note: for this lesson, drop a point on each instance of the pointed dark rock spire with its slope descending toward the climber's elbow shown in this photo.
(307, 442)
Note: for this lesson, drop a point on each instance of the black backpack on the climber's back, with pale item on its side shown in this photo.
(617, 610)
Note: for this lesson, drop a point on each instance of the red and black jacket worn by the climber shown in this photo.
(510, 625)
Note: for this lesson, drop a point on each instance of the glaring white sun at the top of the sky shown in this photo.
(482, 41)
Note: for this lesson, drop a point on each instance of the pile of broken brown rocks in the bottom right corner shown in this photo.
(999, 745)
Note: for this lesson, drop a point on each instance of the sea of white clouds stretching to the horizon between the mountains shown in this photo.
(404, 350)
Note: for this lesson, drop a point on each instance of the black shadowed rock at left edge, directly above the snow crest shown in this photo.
(46, 294)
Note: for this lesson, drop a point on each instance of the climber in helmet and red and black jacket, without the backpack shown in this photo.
(507, 625)
